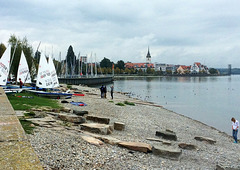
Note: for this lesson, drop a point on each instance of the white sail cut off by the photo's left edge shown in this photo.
(5, 66)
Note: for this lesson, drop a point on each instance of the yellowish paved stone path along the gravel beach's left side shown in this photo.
(15, 150)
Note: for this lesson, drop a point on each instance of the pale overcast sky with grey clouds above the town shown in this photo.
(176, 32)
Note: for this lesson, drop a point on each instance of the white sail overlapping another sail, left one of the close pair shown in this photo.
(44, 79)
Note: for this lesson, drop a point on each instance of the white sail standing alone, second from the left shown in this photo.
(23, 70)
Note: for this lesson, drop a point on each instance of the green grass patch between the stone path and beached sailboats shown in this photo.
(21, 103)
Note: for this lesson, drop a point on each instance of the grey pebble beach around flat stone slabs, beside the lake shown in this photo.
(60, 146)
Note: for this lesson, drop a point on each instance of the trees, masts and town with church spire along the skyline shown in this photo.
(78, 66)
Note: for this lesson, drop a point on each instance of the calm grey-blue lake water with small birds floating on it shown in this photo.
(211, 100)
